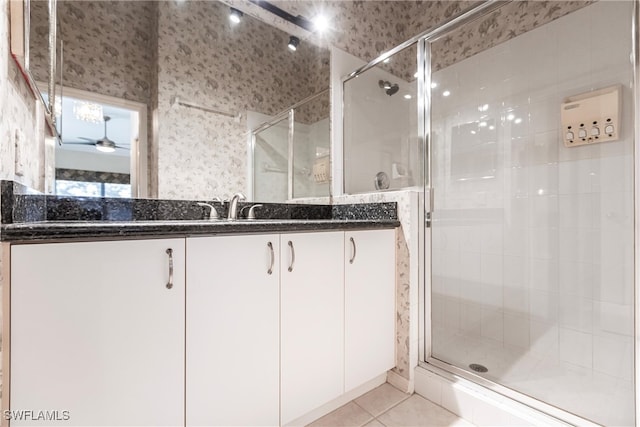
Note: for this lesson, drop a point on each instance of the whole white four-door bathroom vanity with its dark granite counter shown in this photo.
(195, 322)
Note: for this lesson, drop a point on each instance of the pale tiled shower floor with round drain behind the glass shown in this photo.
(592, 395)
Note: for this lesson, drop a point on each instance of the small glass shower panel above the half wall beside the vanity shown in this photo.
(382, 150)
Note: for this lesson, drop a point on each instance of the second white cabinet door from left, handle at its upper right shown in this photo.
(232, 330)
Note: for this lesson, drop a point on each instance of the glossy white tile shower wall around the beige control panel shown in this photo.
(535, 240)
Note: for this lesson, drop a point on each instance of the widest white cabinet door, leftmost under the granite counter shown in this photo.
(95, 331)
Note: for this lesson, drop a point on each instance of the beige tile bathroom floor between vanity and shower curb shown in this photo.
(388, 406)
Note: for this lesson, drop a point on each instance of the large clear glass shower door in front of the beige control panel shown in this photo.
(532, 238)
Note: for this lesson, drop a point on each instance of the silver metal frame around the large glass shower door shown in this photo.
(426, 361)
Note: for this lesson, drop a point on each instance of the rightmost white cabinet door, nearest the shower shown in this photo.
(369, 305)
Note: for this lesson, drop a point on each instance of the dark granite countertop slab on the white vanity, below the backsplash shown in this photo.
(109, 230)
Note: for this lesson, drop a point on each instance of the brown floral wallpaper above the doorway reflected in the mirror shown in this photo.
(108, 47)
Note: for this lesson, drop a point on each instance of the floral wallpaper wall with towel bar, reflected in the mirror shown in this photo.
(204, 60)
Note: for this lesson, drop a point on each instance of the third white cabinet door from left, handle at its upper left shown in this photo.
(312, 321)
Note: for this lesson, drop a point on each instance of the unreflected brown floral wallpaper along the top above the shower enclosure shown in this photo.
(367, 29)
